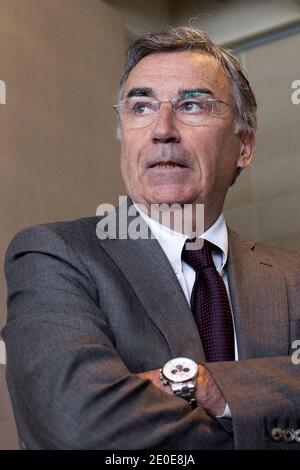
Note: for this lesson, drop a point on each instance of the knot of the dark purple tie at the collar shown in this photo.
(197, 258)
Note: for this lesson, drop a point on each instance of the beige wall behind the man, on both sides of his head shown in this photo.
(61, 61)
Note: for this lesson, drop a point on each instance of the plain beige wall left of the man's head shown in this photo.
(61, 62)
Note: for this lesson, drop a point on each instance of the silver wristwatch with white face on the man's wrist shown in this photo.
(180, 373)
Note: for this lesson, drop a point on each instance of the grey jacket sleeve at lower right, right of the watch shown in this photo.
(264, 399)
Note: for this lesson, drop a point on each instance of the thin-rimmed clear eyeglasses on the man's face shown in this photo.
(140, 111)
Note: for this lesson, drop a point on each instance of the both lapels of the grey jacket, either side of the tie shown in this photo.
(257, 289)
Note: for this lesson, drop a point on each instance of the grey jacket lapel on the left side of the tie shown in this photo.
(148, 271)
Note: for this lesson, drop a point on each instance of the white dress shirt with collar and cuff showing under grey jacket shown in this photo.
(172, 243)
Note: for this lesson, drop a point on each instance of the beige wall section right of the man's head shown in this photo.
(265, 202)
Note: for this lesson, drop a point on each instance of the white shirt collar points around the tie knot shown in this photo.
(172, 242)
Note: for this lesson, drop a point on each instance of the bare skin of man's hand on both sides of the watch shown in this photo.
(208, 394)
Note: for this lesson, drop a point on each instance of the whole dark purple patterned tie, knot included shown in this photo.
(210, 304)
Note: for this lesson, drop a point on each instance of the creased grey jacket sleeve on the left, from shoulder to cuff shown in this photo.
(69, 387)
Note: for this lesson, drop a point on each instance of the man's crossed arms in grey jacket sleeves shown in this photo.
(71, 389)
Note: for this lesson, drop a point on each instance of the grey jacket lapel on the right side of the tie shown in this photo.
(259, 299)
